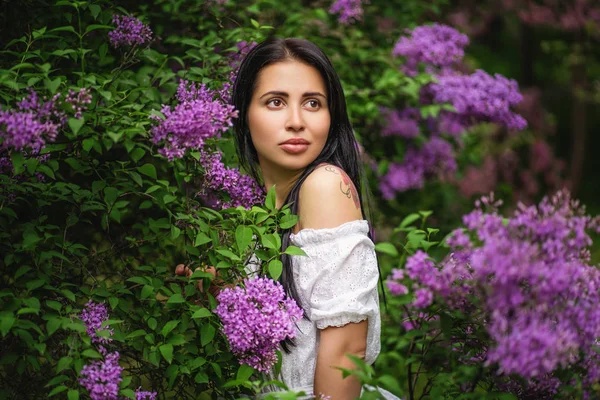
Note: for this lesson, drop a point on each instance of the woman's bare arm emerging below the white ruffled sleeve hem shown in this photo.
(334, 346)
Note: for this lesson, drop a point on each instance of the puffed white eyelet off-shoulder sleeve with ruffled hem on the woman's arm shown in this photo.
(337, 281)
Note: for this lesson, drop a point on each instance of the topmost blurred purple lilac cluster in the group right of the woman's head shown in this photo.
(434, 45)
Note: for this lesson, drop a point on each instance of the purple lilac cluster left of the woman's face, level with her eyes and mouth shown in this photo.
(197, 117)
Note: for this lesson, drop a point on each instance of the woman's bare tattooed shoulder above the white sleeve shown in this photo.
(328, 198)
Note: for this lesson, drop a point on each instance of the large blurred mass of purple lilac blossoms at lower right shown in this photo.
(532, 271)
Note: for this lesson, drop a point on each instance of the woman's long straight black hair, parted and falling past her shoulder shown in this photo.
(340, 149)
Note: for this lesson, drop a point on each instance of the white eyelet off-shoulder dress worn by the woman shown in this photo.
(337, 284)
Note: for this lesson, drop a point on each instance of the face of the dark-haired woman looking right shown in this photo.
(288, 116)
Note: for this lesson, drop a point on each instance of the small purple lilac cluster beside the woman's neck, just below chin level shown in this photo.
(242, 189)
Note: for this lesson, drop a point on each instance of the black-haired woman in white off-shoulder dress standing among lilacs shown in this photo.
(293, 132)
